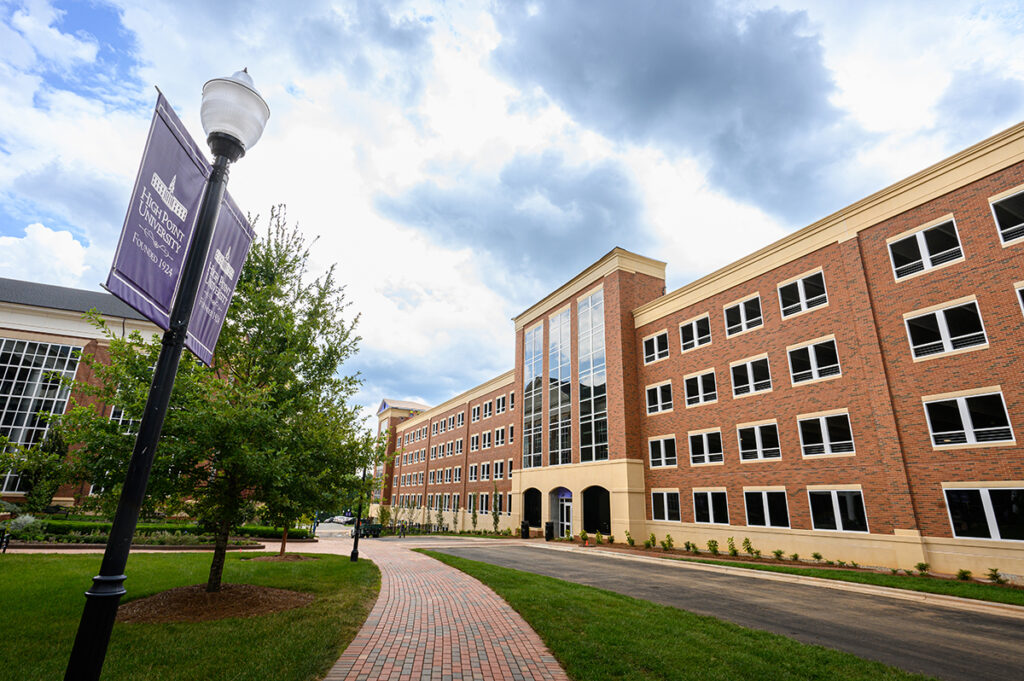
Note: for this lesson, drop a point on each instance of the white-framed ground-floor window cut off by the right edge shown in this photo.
(988, 514)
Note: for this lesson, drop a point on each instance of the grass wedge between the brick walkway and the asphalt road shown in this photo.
(598, 634)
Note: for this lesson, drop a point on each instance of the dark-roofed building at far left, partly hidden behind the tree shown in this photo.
(42, 334)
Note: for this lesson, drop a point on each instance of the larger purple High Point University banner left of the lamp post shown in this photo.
(161, 219)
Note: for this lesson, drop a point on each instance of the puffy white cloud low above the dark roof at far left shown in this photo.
(45, 256)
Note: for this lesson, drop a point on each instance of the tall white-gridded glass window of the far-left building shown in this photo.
(30, 384)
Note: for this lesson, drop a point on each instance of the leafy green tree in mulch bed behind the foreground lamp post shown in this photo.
(270, 423)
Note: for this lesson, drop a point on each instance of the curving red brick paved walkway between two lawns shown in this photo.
(433, 623)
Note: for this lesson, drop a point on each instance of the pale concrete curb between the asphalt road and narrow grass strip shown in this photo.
(954, 603)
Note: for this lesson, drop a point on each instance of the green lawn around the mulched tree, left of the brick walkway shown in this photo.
(41, 603)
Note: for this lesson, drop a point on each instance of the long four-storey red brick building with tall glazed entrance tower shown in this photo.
(854, 390)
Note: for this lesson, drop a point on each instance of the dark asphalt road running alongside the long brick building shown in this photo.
(943, 643)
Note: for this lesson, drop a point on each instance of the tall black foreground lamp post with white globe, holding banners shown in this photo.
(234, 115)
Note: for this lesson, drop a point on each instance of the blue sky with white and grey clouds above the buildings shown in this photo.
(460, 160)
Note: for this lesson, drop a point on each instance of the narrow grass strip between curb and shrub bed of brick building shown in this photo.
(990, 592)
